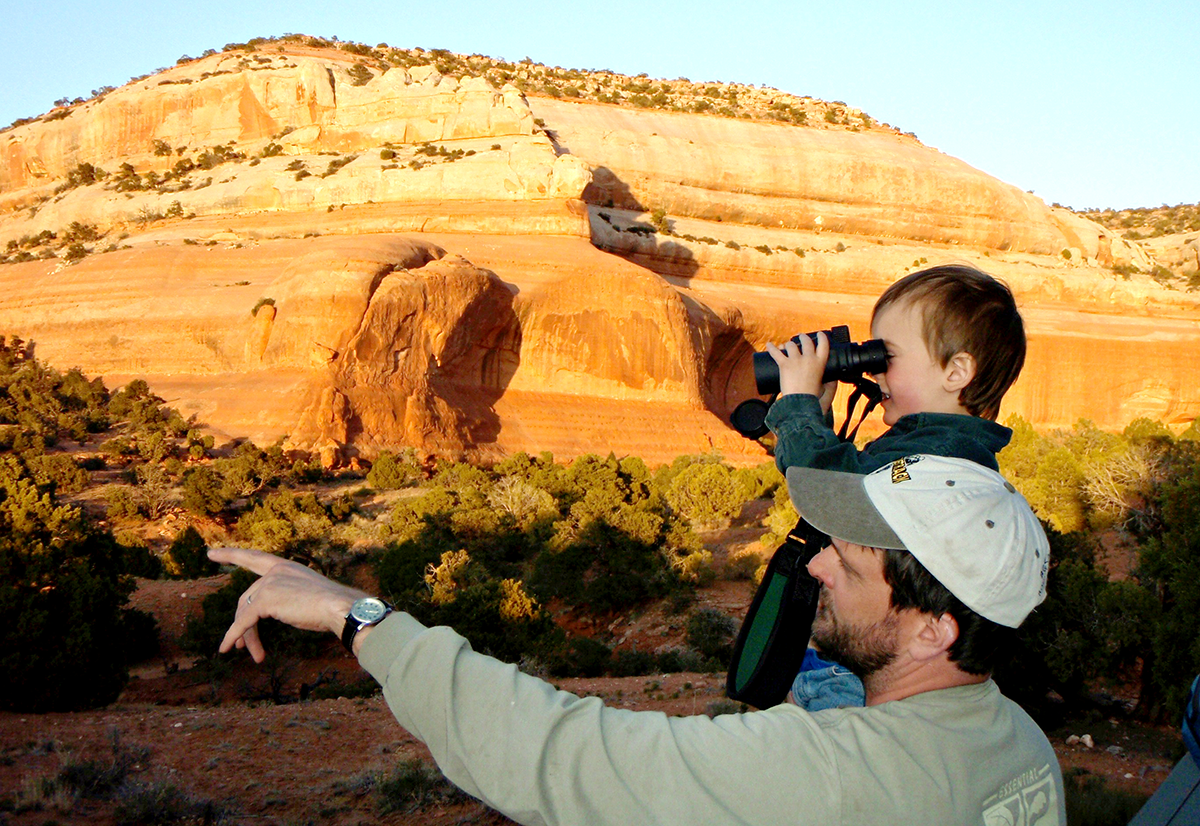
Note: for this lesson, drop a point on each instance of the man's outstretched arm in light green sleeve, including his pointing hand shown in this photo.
(547, 757)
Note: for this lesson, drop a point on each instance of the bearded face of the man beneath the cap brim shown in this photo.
(855, 624)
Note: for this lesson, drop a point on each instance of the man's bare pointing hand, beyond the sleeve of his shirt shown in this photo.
(289, 592)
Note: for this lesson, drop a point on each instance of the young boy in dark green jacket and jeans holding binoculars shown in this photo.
(956, 344)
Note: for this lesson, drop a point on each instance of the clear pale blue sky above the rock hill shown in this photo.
(1084, 104)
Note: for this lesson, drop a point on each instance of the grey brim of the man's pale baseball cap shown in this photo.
(837, 504)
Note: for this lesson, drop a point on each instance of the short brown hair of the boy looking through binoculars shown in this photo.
(968, 312)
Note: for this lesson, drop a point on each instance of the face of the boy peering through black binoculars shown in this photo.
(915, 381)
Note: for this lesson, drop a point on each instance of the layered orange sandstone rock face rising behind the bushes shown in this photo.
(361, 264)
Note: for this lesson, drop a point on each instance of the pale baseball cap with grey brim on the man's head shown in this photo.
(964, 523)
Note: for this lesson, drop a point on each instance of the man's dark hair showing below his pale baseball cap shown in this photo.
(981, 642)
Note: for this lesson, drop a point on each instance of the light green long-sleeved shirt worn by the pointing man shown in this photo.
(957, 756)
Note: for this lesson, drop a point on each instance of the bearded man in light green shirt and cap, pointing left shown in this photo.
(937, 744)
